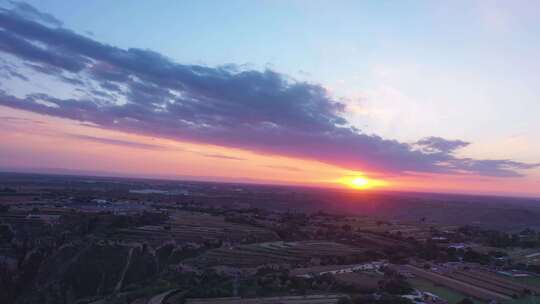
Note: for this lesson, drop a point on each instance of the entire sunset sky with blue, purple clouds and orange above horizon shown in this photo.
(410, 95)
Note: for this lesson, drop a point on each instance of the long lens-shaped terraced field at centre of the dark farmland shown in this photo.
(274, 253)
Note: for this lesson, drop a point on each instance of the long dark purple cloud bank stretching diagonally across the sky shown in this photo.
(143, 92)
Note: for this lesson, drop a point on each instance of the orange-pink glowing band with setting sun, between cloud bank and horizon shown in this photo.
(33, 141)
